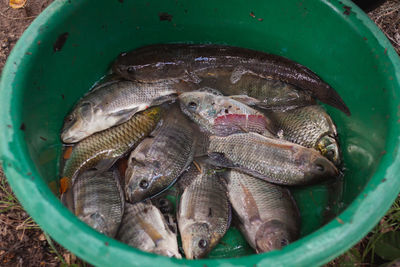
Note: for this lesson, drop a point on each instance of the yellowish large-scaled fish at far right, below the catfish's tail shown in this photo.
(310, 127)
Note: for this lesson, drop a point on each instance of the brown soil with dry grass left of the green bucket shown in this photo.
(22, 243)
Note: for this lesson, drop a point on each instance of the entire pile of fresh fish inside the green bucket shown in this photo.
(223, 129)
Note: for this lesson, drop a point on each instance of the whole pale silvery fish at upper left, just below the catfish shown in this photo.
(113, 103)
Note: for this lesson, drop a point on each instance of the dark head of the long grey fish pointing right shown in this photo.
(320, 168)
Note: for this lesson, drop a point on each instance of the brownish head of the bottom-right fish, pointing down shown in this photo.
(272, 235)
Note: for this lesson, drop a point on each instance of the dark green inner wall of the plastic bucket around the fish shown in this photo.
(77, 49)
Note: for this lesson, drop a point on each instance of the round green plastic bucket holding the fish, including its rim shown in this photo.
(45, 76)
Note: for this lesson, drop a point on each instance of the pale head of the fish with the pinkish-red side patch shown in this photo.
(199, 107)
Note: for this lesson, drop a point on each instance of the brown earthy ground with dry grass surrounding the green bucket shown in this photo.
(22, 243)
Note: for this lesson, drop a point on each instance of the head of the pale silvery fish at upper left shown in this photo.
(75, 124)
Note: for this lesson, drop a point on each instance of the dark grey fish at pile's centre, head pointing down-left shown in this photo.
(158, 161)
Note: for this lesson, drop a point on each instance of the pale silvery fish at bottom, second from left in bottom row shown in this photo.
(143, 227)
